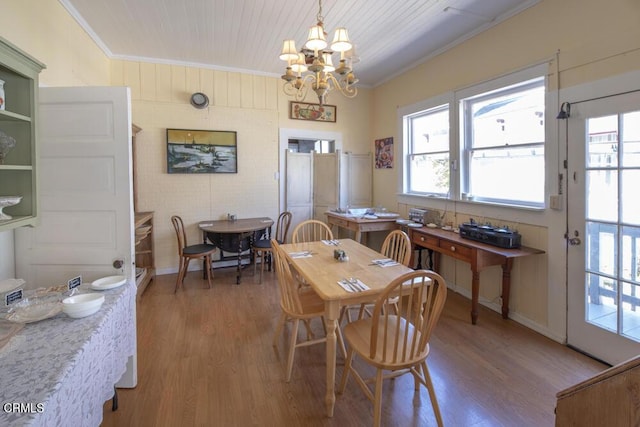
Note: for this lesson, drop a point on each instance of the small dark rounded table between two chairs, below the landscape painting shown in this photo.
(234, 236)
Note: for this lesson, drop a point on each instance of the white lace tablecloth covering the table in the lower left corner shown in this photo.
(60, 371)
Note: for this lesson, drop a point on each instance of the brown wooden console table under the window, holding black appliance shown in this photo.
(478, 255)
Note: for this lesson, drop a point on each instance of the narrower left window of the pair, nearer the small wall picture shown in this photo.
(428, 151)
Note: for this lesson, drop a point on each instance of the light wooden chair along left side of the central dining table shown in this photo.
(297, 304)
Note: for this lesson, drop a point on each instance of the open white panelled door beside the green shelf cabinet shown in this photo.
(86, 208)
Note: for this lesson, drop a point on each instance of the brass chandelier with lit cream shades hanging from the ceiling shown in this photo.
(313, 66)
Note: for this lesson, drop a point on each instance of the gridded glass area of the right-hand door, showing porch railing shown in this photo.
(613, 222)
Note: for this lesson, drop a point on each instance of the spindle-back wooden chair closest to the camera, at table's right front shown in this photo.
(397, 343)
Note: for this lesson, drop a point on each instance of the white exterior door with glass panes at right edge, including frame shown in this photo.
(604, 227)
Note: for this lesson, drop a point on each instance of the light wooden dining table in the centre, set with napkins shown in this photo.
(323, 272)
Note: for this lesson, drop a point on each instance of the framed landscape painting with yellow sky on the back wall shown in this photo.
(201, 151)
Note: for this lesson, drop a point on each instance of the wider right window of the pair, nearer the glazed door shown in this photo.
(503, 145)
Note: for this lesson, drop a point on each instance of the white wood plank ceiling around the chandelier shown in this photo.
(247, 35)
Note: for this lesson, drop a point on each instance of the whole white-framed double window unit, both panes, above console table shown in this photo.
(483, 143)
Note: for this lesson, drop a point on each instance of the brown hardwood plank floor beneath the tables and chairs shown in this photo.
(205, 358)
